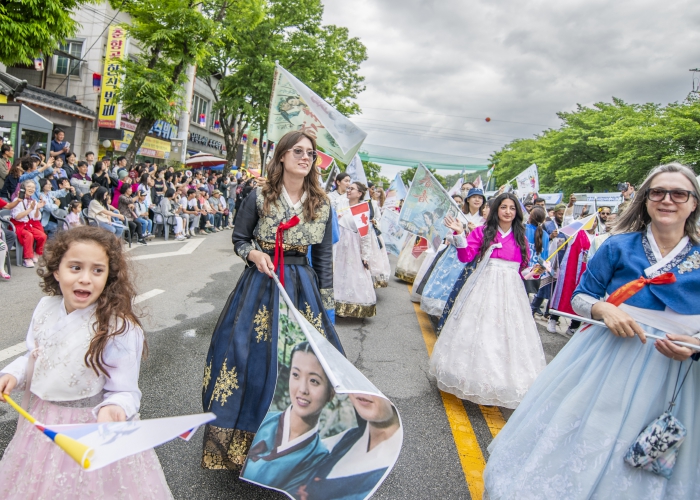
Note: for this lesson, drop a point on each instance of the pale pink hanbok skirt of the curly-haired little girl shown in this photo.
(34, 467)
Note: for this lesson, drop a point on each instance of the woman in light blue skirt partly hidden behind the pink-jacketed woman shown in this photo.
(448, 268)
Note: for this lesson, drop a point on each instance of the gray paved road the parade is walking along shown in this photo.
(187, 284)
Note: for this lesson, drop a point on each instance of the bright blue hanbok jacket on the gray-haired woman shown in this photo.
(626, 257)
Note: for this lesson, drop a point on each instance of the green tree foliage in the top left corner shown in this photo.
(29, 28)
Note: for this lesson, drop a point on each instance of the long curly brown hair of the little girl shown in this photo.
(114, 312)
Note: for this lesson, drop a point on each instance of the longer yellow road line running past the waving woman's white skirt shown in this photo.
(468, 449)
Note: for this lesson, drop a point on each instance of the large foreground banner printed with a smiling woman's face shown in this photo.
(315, 443)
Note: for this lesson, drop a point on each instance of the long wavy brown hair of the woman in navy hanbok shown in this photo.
(272, 190)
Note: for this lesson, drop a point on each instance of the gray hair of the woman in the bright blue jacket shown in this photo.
(637, 218)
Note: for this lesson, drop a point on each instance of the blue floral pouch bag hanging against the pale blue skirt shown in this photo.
(656, 447)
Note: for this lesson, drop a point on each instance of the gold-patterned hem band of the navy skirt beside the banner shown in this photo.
(225, 448)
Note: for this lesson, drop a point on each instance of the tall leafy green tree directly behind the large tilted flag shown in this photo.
(325, 58)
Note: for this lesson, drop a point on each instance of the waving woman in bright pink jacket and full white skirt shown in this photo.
(489, 350)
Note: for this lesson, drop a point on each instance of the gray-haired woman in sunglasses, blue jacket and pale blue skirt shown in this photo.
(570, 435)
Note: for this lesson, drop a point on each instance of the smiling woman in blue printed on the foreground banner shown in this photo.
(287, 447)
